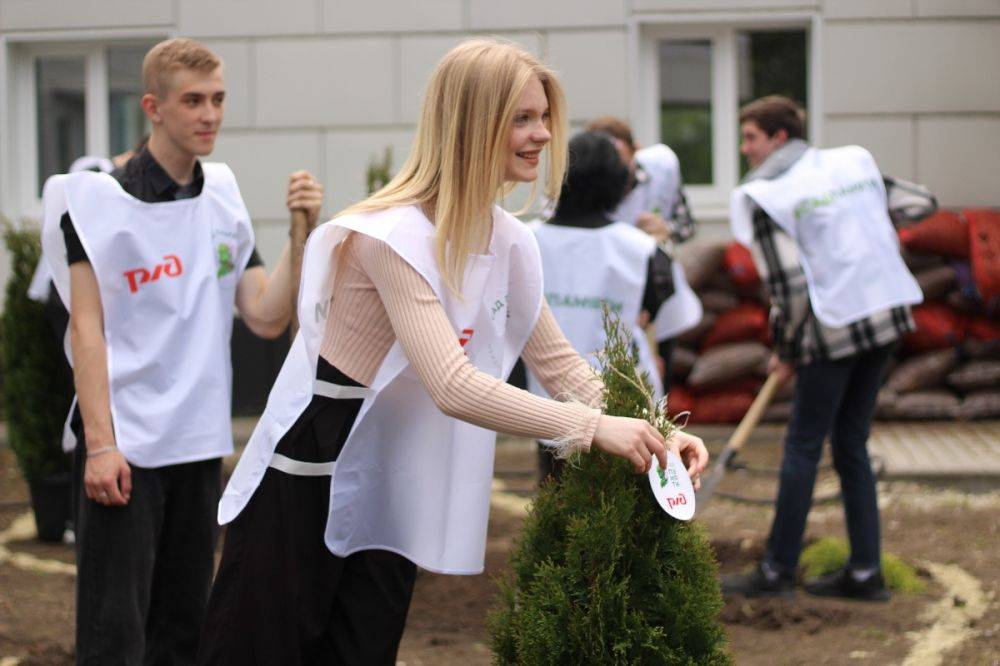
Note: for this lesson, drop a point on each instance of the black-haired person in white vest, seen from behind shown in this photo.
(589, 259)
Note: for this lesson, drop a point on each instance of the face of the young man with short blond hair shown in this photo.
(189, 113)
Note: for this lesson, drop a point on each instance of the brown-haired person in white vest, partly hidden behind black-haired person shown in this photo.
(654, 201)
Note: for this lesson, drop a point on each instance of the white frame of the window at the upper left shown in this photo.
(19, 184)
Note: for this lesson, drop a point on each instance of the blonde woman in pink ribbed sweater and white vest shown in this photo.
(375, 453)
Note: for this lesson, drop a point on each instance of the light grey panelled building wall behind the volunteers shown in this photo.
(327, 84)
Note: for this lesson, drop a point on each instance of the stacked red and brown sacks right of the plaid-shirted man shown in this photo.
(950, 366)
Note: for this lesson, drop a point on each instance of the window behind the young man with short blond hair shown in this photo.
(70, 99)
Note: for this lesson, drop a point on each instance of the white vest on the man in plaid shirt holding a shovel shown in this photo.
(833, 204)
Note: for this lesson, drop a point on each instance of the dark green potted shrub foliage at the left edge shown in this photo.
(36, 395)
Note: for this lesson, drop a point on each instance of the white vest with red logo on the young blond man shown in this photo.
(167, 274)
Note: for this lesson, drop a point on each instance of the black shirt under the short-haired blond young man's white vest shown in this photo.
(144, 178)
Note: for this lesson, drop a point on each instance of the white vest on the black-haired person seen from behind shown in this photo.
(584, 268)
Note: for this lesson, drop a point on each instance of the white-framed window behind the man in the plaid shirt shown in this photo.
(694, 78)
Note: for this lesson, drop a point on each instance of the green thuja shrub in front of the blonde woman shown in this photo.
(601, 575)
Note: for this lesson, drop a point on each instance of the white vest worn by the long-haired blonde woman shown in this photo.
(409, 479)
